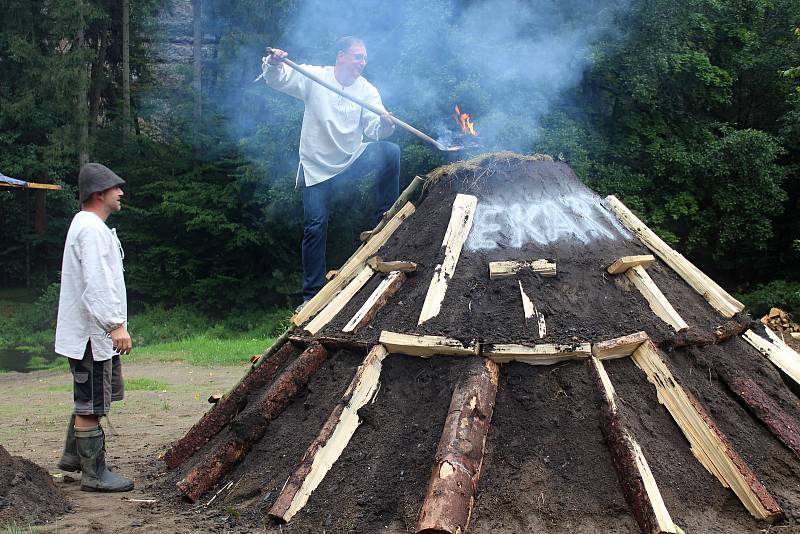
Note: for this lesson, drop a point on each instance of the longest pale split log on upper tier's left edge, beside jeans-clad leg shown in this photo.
(353, 266)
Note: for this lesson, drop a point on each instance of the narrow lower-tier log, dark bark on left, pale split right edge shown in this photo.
(637, 481)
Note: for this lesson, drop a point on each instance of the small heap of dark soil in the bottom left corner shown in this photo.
(28, 495)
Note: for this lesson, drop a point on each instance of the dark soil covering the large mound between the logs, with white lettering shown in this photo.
(547, 467)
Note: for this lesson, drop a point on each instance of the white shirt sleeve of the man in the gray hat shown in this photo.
(101, 296)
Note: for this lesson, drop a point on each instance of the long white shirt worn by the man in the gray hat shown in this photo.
(92, 301)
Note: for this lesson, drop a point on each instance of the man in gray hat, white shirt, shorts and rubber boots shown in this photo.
(92, 325)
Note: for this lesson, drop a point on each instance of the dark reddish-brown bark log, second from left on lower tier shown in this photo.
(250, 426)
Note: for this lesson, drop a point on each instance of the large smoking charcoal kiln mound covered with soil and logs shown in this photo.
(506, 352)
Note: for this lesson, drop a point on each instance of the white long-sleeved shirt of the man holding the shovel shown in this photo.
(332, 136)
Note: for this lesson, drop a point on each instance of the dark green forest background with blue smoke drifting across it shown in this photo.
(688, 110)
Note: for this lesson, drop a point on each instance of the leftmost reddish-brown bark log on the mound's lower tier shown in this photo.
(226, 409)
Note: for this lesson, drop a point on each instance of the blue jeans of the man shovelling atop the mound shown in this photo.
(381, 157)
